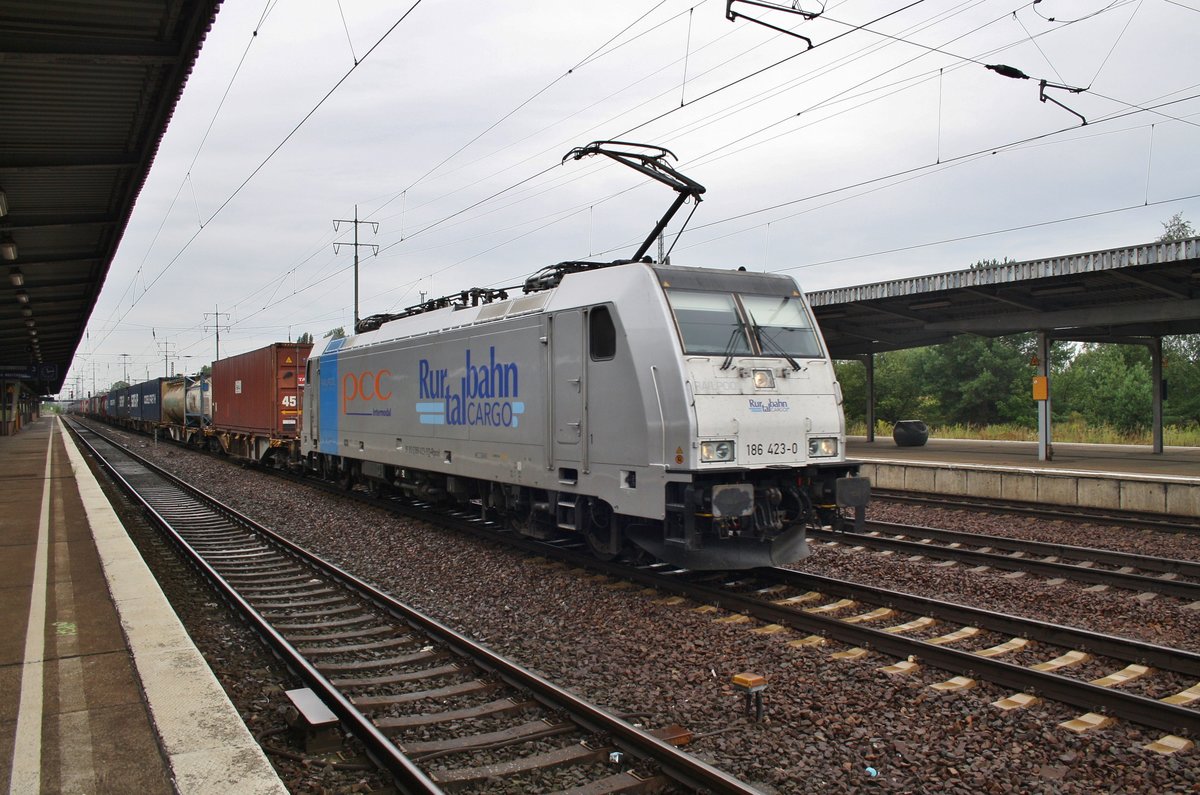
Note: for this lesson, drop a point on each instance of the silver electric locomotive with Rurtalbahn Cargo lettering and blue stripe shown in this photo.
(688, 414)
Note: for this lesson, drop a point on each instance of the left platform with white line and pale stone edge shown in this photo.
(101, 690)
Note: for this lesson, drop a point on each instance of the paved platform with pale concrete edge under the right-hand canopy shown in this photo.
(1114, 477)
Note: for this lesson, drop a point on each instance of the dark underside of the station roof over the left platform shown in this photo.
(87, 91)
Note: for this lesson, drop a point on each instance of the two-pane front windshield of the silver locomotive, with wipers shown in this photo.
(741, 325)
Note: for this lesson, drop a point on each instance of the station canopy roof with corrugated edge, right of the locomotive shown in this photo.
(1115, 296)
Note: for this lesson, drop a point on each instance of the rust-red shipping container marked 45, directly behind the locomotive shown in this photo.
(261, 392)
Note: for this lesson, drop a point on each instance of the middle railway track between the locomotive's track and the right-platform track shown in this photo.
(1139, 573)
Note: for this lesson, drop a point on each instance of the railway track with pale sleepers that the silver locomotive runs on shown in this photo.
(1034, 660)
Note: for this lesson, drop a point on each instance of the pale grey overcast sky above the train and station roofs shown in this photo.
(887, 151)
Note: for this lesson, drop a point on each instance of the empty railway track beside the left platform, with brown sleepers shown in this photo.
(433, 708)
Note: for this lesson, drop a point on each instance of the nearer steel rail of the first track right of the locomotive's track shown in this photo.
(1097, 577)
